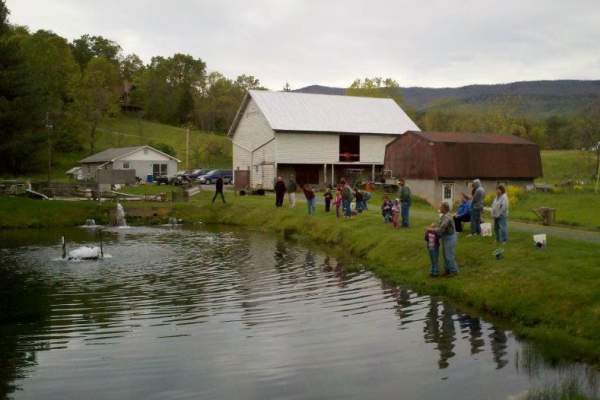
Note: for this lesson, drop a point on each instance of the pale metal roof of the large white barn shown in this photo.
(307, 112)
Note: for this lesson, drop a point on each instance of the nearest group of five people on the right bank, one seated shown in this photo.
(445, 232)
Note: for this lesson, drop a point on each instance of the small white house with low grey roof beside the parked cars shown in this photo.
(145, 160)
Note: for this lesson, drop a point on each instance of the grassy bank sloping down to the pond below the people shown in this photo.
(550, 296)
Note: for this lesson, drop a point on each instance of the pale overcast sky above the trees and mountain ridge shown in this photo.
(418, 42)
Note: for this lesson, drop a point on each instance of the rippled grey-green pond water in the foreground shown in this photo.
(209, 314)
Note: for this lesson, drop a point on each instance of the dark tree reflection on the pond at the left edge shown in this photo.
(24, 309)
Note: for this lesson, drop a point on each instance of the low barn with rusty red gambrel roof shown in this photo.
(438, 166)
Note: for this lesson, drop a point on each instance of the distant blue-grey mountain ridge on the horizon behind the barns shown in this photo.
(534, 98)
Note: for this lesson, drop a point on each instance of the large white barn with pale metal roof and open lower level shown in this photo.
(318, 138)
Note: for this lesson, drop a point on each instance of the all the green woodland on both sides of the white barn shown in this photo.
(55, 95)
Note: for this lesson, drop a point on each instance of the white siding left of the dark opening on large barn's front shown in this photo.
(307, 148)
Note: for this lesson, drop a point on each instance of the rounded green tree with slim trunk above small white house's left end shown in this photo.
(97, 94)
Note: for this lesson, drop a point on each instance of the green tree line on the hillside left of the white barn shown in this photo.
(54, 93)
